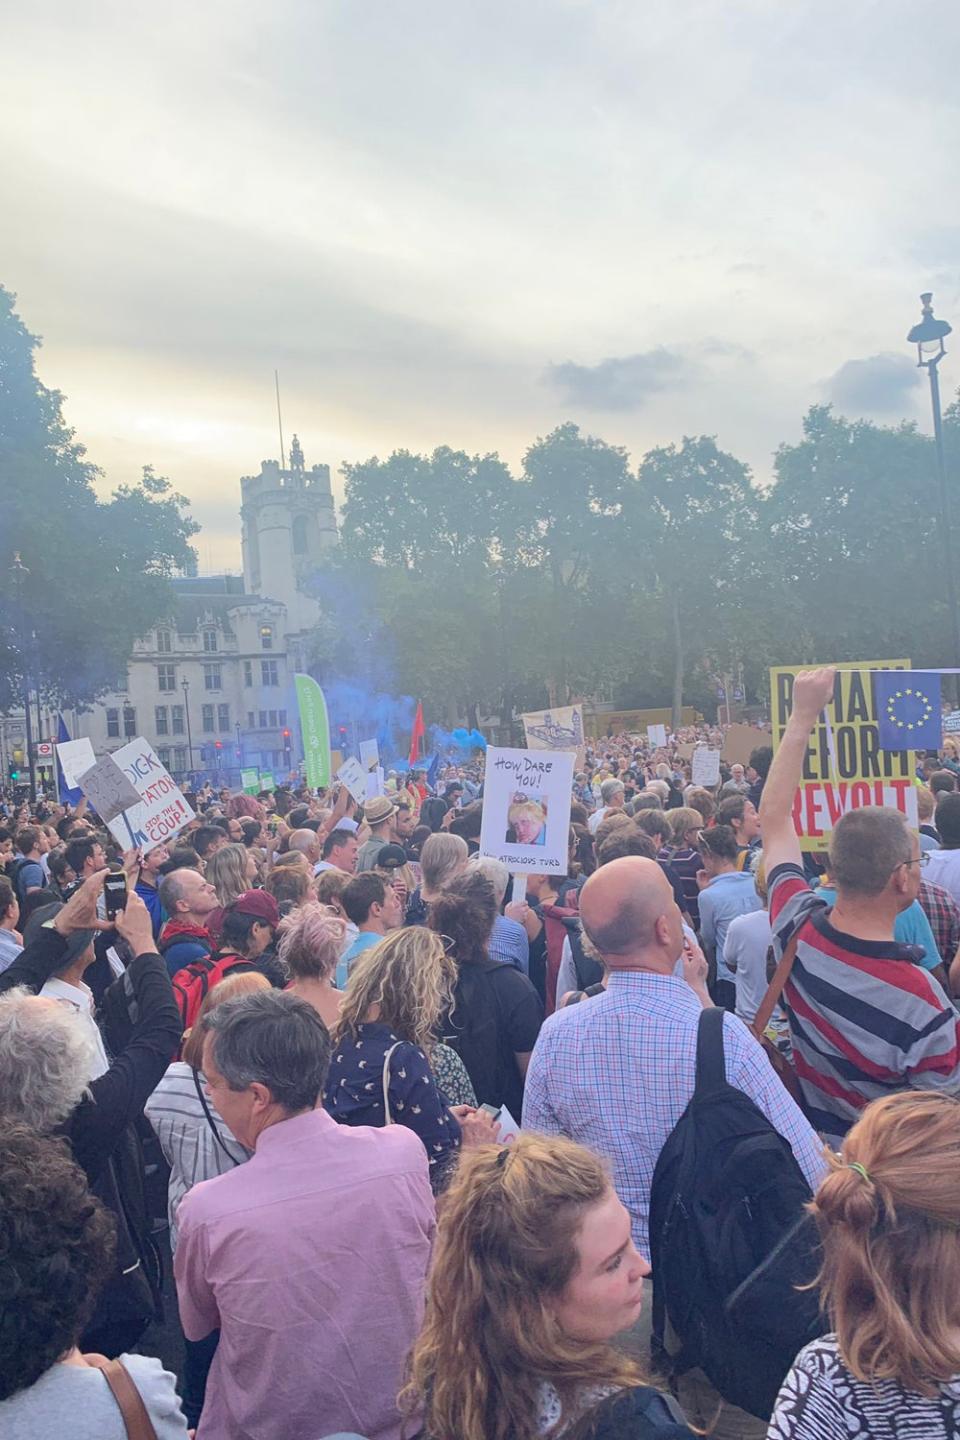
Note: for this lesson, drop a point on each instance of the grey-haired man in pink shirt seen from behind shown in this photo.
(312, 1258)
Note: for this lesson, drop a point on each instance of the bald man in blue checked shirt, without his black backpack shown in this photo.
(618, 1072)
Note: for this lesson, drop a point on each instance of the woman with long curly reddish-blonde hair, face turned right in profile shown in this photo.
(535, 1272)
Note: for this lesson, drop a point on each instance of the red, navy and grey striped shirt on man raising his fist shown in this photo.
(866, 1019)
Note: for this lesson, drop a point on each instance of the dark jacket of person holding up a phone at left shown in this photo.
(142, 1027)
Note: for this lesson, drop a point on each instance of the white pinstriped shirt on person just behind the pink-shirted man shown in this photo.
(186, 1140)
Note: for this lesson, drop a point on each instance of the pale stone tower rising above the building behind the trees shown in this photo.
(290, 526)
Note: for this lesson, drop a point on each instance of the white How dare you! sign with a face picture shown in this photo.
(527, 810)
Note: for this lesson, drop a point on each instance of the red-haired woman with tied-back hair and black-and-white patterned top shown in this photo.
(890, 1223)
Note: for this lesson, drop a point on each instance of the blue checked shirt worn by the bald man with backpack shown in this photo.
(618, 1072)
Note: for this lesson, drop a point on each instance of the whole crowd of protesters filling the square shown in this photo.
(395, 1147)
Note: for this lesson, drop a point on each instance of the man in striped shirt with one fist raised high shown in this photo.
(866, 1019)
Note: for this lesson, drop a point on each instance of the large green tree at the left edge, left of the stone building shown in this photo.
(97, 571)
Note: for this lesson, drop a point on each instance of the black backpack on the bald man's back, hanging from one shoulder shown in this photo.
(732, 1242)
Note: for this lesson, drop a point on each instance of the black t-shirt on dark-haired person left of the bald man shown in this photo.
(497, 1016)
